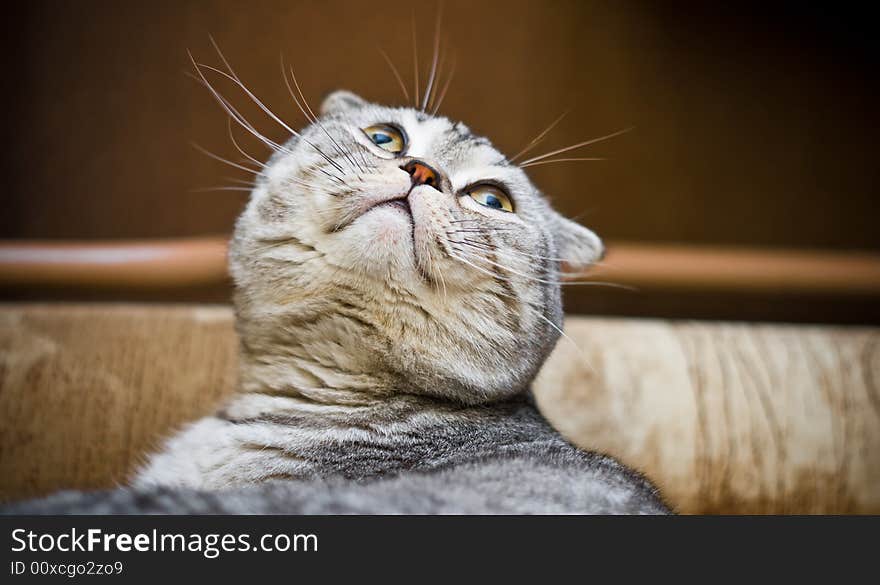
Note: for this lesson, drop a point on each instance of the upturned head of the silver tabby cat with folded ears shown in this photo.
(396, 242)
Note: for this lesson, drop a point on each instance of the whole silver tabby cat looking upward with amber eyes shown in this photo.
(397, 288)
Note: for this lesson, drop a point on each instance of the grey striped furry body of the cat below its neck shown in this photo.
(427, 459)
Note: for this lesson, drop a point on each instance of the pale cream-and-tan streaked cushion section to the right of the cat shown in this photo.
(727, 418)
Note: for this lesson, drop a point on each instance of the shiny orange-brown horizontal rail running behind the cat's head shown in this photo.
(166, 264)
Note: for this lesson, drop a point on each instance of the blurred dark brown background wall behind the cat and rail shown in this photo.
(755, 125)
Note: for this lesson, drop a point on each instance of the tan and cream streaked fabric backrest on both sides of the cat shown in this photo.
(725, 418)
